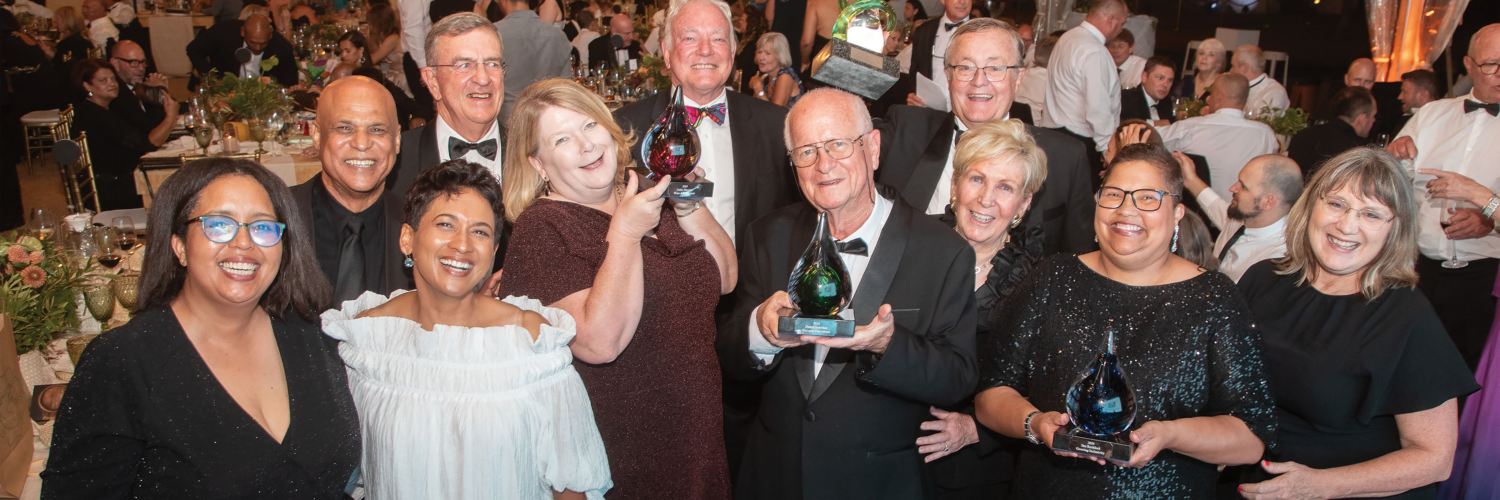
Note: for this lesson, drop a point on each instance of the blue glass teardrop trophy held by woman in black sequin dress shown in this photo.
(1102, 408)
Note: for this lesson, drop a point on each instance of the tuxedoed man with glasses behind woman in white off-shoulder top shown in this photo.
(467, 103)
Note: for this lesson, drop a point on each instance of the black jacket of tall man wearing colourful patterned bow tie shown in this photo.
(764, 179)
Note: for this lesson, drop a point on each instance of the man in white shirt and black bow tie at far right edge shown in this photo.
(1460, 136)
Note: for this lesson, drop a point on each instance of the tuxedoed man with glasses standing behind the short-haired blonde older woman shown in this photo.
(920, 142)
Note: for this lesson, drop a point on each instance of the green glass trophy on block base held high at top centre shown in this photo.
(854, 59)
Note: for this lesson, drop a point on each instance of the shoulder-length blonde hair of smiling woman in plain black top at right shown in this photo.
(1372, 175)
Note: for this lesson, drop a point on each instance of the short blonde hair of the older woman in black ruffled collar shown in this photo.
(1001, 142)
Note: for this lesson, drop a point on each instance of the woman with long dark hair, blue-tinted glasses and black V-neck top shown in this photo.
(220, 387)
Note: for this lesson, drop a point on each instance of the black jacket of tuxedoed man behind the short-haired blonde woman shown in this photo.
(914, 148)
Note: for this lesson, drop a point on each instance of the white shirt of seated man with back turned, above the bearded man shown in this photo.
(1226, 139)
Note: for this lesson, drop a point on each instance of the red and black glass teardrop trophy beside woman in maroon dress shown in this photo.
(671, 152)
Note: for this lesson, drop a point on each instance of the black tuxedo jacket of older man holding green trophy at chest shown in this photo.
(851, 432)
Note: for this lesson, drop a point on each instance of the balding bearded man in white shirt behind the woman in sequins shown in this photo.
(1255, 223)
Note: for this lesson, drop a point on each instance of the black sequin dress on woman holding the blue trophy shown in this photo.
(1189, 349)
